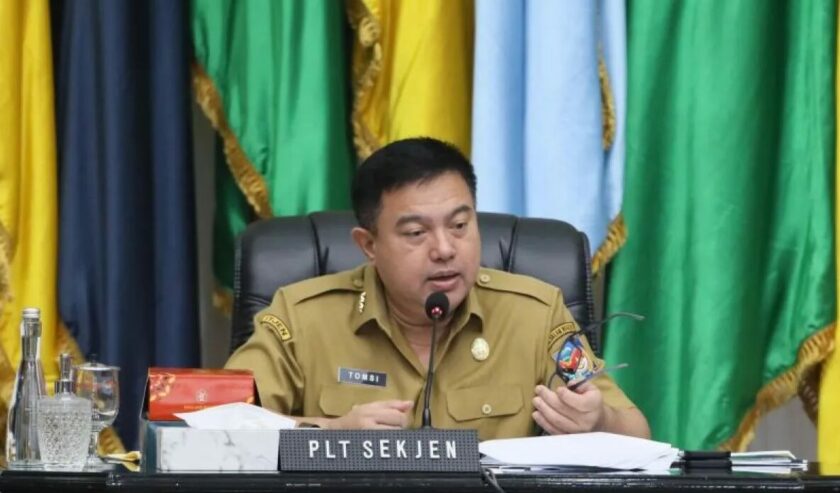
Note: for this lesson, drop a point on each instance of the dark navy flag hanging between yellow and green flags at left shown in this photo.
(127, 252)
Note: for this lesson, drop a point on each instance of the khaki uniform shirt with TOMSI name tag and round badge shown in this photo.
(328, 343)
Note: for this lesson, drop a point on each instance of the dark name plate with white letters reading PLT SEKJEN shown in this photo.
(424, 450)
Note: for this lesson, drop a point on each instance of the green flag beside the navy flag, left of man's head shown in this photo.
(272, 77)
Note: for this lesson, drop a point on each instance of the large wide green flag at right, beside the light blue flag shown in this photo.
(729, 207)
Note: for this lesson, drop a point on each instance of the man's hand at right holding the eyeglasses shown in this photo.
(569, 411)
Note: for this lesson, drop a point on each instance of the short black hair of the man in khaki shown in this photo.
(402, 163)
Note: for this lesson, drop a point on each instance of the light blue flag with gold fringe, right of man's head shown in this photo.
(548, 110)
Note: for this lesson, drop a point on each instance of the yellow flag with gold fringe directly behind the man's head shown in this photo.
(412, 71)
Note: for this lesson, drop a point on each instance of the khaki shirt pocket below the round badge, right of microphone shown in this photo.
(485, 401)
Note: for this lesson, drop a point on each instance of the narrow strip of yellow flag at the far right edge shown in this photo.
(828, 424)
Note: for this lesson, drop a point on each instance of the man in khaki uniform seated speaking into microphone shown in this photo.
(351, 350)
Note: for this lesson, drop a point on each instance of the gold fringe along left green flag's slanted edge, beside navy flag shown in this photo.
(247, 178)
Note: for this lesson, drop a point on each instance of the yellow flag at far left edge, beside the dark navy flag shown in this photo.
(28, 173)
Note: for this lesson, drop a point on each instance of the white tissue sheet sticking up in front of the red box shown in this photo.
(236, 416)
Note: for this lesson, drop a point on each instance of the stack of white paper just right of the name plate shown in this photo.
(597, 449)
